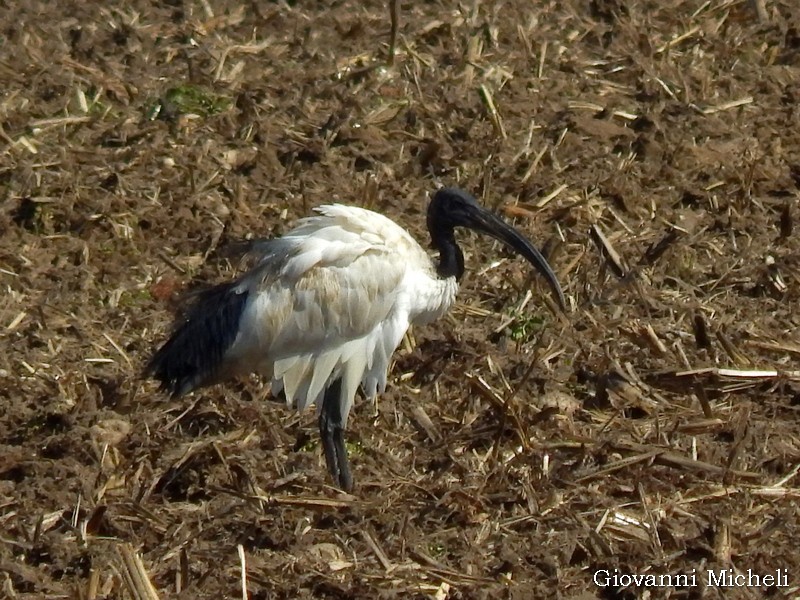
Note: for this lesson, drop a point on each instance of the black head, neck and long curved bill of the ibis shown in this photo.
(451, 208)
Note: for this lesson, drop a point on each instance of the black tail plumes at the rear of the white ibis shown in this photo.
(193, 354)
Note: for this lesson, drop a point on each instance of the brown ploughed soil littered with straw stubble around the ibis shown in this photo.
(651, 148)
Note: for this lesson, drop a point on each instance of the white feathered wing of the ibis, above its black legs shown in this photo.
(327, 301)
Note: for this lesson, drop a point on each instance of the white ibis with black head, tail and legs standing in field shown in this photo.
(325, 306)
